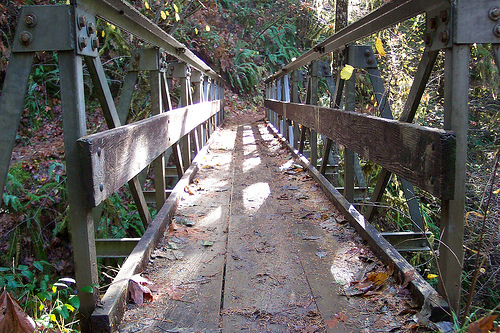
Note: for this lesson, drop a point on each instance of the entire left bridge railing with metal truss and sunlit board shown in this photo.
(99, 164)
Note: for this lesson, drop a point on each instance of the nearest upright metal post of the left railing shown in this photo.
(80, 215)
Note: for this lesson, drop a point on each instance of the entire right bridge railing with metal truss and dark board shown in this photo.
(432, 159)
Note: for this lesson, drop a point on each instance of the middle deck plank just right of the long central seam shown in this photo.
(264, 275)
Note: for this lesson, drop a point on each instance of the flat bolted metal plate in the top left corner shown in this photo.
(44, 28)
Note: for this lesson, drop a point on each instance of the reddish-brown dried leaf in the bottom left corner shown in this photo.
(12, 317)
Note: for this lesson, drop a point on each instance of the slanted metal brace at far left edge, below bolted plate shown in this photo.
(11, 107)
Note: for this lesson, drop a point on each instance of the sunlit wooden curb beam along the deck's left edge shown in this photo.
(106, 318)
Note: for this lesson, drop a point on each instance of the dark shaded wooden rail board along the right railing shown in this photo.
(424, 156)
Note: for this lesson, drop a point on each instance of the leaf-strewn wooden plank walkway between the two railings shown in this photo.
(267, 252)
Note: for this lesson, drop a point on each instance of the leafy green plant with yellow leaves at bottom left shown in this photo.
(53, 306)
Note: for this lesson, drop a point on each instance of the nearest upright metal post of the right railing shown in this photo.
(456, 115)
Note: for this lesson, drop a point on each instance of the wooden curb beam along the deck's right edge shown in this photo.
(419, 287)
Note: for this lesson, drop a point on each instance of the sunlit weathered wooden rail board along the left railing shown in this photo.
(108, 168)
